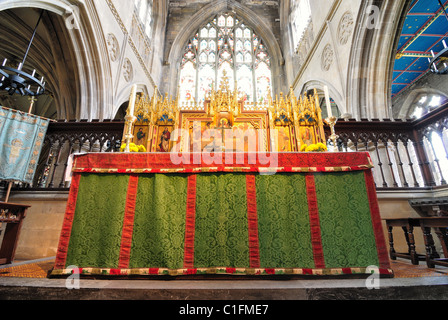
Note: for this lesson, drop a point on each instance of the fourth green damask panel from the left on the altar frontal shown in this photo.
(284, 226)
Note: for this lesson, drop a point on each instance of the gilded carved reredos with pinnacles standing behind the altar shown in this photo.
(298, 121)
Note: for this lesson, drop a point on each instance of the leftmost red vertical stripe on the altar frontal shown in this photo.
(64, 240)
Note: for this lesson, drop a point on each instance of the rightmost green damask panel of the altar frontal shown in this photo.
(344, 206)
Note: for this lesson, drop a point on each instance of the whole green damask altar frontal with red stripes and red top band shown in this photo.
(142, 215)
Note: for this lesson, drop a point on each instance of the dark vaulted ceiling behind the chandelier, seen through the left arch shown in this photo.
(49, 56)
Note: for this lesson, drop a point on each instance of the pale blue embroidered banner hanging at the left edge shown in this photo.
(21, 139)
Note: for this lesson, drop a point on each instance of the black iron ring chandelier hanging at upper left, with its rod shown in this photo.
(18, 81)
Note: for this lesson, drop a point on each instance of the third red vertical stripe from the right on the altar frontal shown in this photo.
(252, 214)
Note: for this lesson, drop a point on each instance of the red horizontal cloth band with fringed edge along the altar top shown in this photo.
(195, 163)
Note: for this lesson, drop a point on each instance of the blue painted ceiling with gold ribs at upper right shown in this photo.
(425, 28)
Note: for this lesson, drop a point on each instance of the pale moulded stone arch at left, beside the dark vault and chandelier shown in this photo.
(80, 28)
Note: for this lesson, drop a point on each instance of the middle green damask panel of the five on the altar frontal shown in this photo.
(221, 221)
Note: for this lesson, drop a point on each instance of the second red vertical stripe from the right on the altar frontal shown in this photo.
(316, 234)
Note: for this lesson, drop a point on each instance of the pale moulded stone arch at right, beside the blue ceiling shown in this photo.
(372, 59)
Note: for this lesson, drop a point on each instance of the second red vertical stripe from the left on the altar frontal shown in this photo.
(128, 223)
